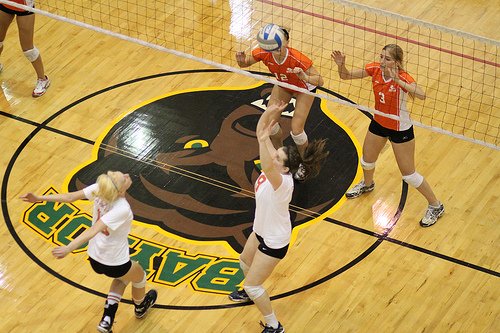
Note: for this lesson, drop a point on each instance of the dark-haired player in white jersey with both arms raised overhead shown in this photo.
(268, 243)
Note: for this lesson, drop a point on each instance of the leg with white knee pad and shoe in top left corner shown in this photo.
(26, 26)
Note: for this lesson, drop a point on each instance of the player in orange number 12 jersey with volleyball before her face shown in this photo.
(290, 66)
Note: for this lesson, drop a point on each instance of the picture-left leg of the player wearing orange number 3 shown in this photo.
(372, 147)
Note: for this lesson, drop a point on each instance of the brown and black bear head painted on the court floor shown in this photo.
(193, 159)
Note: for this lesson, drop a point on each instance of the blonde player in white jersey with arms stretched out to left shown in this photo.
(107, 238)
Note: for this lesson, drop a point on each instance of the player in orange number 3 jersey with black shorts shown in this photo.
(391, 86)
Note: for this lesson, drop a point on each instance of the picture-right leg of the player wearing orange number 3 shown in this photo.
(405, 156)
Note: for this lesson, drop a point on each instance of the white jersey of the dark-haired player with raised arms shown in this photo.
(272, 218)
